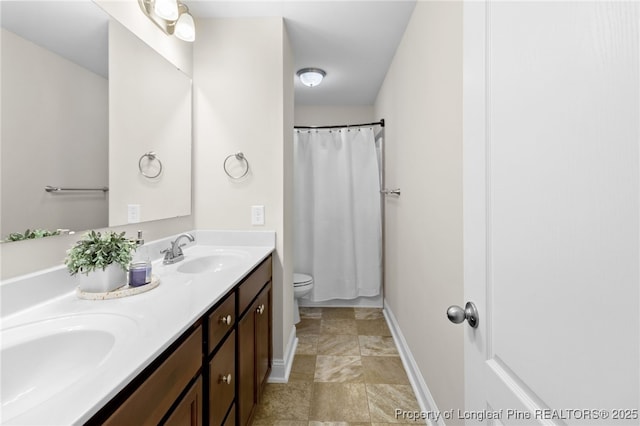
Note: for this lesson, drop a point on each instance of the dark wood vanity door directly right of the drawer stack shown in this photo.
(246, 366)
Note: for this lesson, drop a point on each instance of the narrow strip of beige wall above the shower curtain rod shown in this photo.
(312, 115)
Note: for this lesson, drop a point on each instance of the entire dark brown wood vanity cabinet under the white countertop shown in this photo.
(214, 373)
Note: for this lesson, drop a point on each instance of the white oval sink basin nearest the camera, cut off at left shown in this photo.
(43, 358)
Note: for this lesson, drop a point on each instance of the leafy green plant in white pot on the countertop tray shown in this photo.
(100, 260)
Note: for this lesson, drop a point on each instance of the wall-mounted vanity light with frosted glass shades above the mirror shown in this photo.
(171, 16)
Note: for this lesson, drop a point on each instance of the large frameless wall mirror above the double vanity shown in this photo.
(89, 108)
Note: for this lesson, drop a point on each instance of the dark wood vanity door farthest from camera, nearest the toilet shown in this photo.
(263, 338)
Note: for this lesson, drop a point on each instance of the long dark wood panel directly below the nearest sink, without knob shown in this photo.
(150, 402)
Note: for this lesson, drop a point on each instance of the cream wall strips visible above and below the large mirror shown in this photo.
(23, 257)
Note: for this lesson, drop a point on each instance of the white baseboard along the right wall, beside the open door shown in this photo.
(420, 388)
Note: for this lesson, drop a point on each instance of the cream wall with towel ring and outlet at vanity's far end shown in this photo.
(243, 94)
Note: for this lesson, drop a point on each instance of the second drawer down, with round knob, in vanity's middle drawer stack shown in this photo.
(222, 379)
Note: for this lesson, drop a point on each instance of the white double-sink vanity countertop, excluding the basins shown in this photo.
(151, 322)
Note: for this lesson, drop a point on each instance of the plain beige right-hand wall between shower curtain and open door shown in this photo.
(421, 101)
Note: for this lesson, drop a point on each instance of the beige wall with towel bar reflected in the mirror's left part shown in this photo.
(55, 112)
